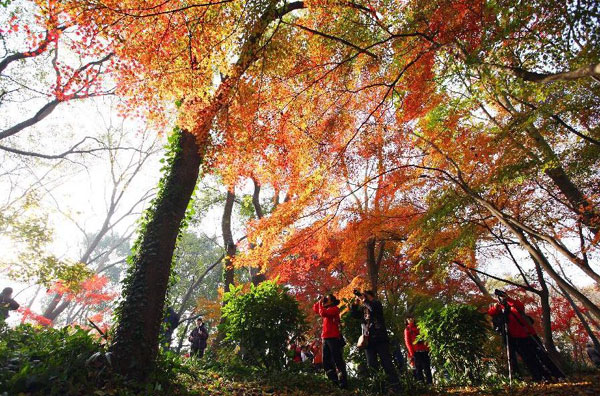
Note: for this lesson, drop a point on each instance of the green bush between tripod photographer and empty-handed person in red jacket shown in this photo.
(456, 335)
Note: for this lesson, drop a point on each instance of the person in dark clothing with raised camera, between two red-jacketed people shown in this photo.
(369, 309)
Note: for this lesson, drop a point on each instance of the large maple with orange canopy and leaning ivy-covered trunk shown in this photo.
(398, 132)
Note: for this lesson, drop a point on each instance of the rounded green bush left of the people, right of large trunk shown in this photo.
(261, 322)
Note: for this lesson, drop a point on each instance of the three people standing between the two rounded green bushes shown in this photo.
(374, 340)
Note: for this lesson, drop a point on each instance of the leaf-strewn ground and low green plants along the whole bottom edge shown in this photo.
(69, 361)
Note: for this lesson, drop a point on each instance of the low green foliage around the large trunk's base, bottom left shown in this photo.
(73, 361)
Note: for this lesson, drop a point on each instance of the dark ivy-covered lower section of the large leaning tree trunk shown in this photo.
(135, 344)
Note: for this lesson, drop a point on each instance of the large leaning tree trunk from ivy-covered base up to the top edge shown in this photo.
(135, 344)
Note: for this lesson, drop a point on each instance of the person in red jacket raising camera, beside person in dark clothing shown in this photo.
(333, 357)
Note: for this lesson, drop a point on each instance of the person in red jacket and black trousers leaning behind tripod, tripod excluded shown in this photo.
(519, 333)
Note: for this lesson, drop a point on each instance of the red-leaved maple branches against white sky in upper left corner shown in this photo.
(44, 38)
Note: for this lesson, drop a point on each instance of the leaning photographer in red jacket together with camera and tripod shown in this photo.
(508, 316)
